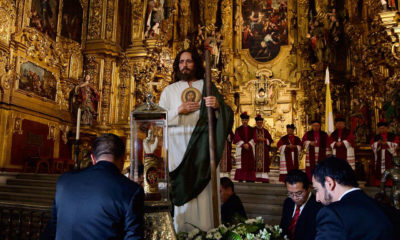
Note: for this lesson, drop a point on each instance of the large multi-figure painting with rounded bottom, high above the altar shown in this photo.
(264, 28)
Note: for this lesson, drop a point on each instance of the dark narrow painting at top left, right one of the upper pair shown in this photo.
(71, 24)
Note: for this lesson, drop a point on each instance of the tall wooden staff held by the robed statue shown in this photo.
(211, 138)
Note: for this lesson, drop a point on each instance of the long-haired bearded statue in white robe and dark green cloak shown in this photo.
(188, 143)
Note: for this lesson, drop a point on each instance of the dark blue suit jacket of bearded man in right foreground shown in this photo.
(354, 217)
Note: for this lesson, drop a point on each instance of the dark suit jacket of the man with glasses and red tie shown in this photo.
(306, 224)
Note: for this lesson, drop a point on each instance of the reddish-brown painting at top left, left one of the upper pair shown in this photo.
(44, 16)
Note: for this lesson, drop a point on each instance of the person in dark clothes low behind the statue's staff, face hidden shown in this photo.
(232, 210)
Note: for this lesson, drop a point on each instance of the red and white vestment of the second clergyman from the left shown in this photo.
(263, 145)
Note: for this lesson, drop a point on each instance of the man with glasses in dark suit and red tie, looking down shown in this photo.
(300, 208)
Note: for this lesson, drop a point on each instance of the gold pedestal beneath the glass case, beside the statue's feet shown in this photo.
(158, 221)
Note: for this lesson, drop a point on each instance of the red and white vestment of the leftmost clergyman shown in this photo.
(245, 157)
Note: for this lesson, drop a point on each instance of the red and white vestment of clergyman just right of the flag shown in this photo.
(346, 149)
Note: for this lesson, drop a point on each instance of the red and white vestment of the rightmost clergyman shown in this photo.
(383, 155)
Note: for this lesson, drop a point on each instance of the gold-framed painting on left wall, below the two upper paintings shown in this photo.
(37, 80)
